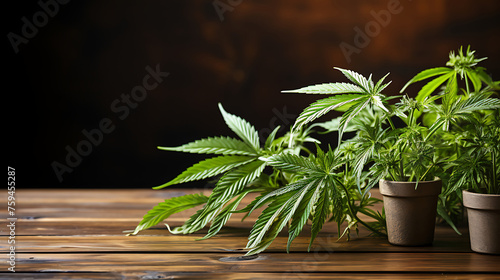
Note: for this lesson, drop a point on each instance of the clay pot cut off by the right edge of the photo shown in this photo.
(483, 211)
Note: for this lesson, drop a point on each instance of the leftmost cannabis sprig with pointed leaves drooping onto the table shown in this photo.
(238, 164)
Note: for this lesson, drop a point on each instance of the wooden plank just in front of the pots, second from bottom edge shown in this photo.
(267, 262)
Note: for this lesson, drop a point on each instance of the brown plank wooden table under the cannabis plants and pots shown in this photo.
(79, 234)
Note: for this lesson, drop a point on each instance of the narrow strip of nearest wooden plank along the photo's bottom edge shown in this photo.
(246, 276)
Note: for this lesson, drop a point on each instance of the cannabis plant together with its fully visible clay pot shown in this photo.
(401, 159)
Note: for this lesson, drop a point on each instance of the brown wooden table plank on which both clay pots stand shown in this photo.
(230, 239)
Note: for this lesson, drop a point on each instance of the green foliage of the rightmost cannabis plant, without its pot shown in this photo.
(463, 127)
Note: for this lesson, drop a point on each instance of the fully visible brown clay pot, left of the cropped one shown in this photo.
(410, 213)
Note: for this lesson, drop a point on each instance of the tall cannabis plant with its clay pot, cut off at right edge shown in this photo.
(471, 121)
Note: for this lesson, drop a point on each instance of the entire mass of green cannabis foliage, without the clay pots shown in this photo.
(452, 133)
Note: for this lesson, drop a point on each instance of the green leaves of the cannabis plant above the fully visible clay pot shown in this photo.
(395, 153)
